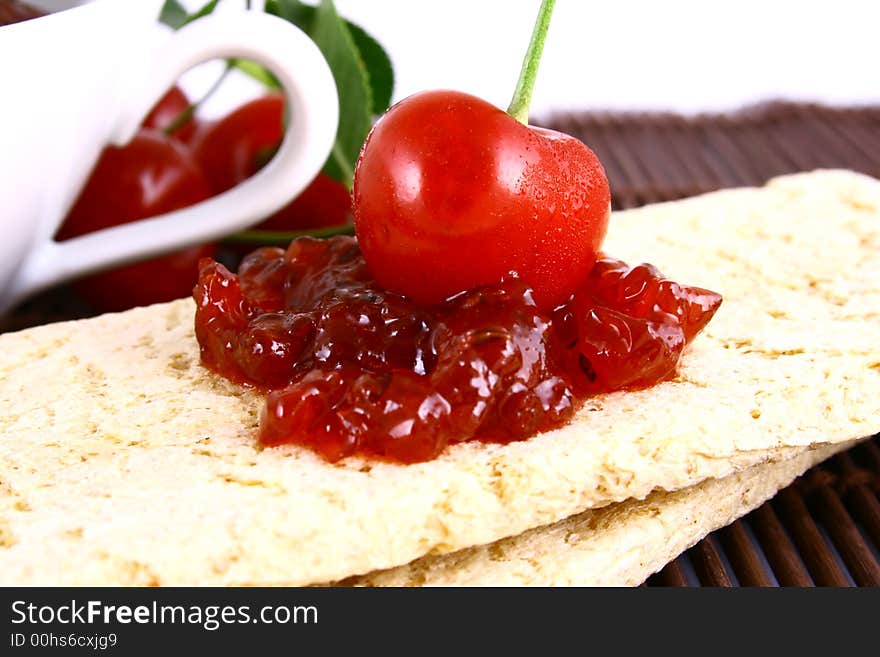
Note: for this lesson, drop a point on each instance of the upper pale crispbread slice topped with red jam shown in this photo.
(123, 461)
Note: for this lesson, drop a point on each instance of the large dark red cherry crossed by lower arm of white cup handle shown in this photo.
(150, 175)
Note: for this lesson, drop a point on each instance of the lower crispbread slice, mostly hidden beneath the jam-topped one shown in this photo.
(617, 545)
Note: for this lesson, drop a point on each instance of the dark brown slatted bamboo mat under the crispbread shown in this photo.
(825, 528)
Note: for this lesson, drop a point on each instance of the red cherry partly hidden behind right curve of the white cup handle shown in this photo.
(238, 145)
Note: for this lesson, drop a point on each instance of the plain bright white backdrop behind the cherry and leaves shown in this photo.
(683, 55)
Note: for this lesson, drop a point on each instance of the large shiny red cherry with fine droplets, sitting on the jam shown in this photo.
(451, 193)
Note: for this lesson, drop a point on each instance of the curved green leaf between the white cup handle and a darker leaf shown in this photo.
(334, 39)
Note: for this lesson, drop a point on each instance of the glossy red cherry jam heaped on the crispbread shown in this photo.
(352, 369)
